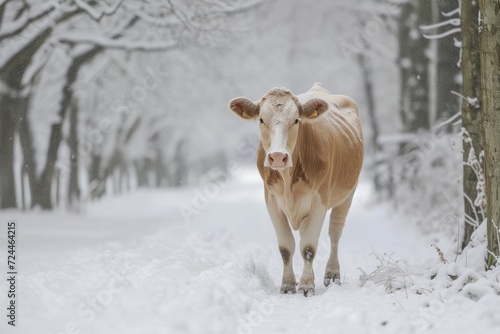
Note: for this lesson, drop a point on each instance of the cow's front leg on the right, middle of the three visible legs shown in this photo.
(309, 235)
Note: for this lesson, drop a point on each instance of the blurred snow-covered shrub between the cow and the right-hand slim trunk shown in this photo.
(425, 175)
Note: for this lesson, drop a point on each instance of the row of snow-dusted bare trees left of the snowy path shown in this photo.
(48, 48)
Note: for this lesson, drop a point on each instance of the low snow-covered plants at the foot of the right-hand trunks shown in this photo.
(466, 276)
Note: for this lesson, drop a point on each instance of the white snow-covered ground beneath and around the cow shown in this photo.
(205, 260)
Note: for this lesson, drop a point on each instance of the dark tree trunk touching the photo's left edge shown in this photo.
(8, 123)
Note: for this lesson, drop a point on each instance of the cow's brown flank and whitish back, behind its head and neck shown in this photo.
(331, 149)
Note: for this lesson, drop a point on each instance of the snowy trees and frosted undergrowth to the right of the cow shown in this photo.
(448, 59)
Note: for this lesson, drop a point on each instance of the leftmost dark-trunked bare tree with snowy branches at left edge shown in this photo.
(25, 27)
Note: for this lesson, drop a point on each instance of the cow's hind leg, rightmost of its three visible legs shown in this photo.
(337, 222)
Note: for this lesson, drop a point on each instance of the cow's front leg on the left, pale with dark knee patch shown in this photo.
(286, 244)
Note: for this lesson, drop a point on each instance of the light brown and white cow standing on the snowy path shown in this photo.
(309, 157)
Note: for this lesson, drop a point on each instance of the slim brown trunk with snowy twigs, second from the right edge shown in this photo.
(471, 116)
